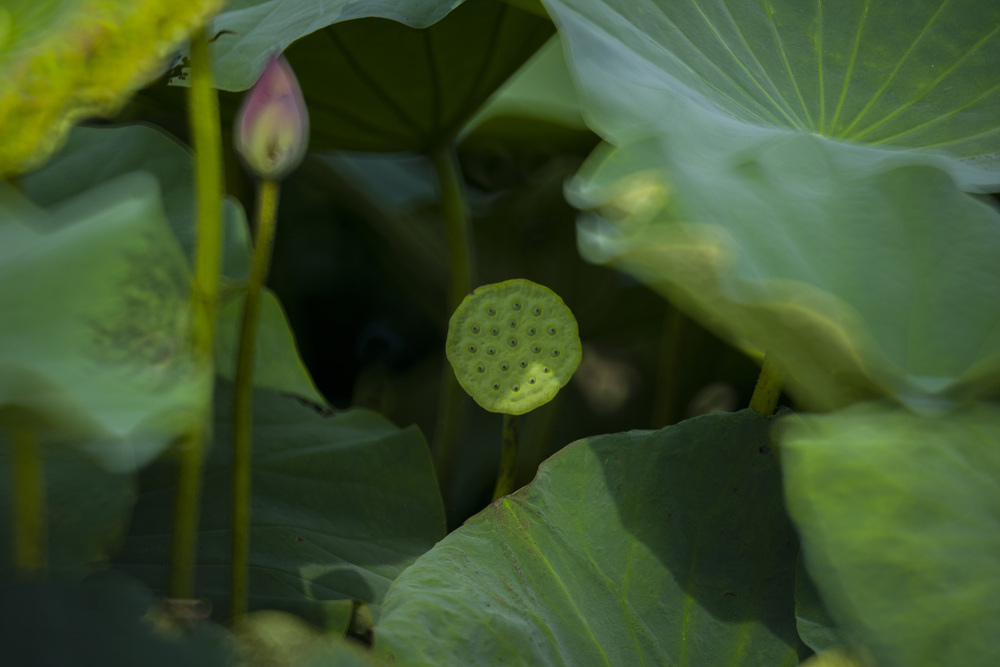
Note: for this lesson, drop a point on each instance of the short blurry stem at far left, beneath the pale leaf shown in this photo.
(30, 551)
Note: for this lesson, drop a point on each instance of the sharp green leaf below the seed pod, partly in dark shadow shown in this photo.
(662, 547)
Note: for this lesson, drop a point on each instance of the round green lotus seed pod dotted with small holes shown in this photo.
(513, 346)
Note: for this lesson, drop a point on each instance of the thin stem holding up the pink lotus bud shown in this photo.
(266, 217)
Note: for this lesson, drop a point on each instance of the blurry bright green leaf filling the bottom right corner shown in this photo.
(900, 522)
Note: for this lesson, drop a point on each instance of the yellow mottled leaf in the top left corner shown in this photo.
(63, 61)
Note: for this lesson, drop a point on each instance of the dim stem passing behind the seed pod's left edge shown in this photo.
(462, 264)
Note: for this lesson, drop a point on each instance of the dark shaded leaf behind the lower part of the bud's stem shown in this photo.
(341, 505)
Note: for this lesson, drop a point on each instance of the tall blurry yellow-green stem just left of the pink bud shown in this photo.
(203, 116)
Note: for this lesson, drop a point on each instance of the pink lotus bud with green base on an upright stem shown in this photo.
(272, 126)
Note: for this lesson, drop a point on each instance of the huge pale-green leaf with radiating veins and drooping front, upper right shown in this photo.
(735, 191)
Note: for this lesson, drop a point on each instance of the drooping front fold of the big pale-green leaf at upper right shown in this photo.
(860, 281)
